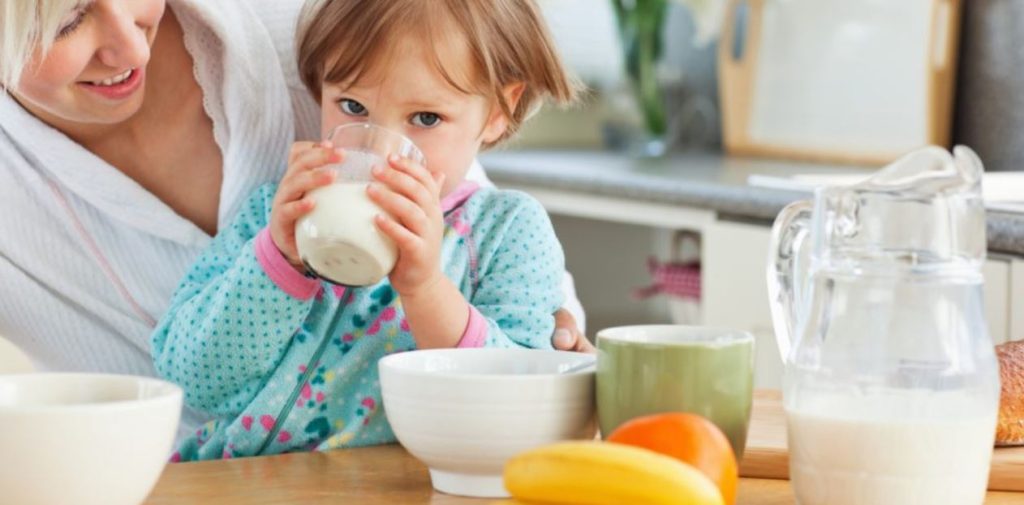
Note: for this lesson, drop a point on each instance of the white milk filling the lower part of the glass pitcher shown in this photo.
(848, 450)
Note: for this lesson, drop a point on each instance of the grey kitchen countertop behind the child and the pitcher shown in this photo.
(709, 183)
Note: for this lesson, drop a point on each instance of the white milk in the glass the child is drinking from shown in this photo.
(339, 240)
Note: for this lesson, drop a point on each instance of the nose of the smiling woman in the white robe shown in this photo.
(125, 43)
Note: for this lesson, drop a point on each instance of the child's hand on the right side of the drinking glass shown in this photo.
(412, 195)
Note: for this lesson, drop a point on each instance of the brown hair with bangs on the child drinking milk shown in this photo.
(342, 41)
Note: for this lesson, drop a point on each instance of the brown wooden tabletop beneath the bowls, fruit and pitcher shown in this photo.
(367, 477)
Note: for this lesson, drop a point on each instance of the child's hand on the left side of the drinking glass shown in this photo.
(307, 173)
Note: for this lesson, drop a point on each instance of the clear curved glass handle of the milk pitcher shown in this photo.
(786, 275)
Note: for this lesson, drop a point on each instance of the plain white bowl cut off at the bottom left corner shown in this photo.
(84, 439)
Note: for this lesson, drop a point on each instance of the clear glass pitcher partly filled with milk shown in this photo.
(891, 388)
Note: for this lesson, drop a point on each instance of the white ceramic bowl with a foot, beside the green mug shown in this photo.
(465, 412)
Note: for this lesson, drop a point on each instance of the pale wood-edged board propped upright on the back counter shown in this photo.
(860, 81)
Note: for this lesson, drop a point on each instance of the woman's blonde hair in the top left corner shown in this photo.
(25, 28)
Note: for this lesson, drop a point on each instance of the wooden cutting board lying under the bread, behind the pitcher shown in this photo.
(767, 457)
